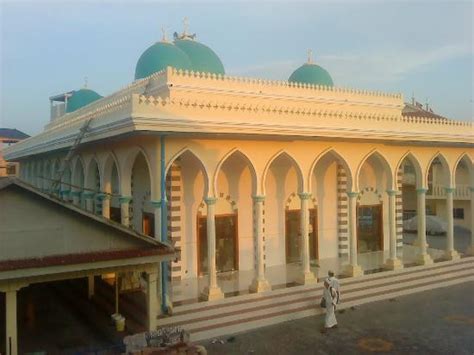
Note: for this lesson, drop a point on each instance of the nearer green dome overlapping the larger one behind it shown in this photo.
(158, 57)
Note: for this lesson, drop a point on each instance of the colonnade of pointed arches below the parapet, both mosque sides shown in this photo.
(277, 190)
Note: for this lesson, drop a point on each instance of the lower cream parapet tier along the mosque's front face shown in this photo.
(286, 117)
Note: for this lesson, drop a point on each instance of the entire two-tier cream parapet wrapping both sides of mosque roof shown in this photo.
(177, 100)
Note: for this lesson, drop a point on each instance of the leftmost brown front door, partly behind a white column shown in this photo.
(226, 243)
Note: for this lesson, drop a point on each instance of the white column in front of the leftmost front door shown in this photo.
(213, 291)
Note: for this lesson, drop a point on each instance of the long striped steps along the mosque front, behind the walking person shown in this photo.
(210, 319)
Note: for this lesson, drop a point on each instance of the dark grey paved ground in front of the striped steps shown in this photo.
(434, 322)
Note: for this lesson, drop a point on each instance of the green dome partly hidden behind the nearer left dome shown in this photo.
(203, 58)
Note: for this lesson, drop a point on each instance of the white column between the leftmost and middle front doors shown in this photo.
(259, 283)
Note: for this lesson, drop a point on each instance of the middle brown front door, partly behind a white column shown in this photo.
(293, 235)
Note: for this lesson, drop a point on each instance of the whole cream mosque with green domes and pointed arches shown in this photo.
(248, 177)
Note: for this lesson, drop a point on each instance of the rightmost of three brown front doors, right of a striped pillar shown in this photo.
(369, 228)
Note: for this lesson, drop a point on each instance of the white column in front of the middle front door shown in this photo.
(306, 276)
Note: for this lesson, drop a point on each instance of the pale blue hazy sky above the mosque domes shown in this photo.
(413, 47)
